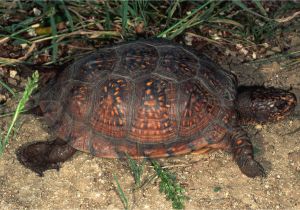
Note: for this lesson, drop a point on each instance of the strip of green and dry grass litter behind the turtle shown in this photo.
(62, 24)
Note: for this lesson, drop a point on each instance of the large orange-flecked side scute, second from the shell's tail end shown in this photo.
(111, 107)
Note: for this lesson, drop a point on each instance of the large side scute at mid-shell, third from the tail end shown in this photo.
(154, 118)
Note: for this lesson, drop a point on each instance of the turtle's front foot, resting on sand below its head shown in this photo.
(251, 167)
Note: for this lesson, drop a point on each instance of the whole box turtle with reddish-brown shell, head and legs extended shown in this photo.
(151, 98)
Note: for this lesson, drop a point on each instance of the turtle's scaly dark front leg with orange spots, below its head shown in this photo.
(243, 154)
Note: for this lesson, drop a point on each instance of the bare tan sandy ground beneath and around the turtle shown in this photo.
(86, 182)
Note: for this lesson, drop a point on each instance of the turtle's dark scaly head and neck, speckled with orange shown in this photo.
(261, 104)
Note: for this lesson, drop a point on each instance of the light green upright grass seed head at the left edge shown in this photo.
(32, 84)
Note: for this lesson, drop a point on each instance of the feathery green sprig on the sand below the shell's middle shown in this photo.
(170, 186)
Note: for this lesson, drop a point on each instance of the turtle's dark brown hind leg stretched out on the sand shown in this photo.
(42, 156)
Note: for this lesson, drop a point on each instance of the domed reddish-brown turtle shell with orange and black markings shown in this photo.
(148, 98)
